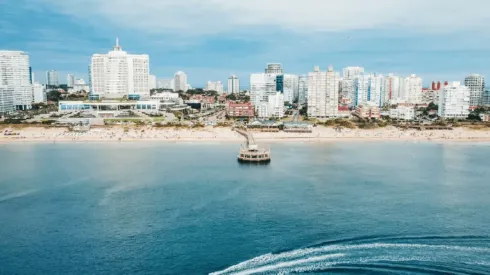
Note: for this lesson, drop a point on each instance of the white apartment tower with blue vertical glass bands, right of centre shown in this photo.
(369, 88)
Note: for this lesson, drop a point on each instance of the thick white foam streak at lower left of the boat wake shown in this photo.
(280, 265)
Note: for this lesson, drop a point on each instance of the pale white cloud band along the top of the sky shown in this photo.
(193, 17)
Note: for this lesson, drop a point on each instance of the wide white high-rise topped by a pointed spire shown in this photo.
(118, 74)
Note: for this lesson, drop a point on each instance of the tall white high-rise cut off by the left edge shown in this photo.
(15, 81)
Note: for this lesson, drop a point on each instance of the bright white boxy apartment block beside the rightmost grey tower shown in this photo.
(454, 101)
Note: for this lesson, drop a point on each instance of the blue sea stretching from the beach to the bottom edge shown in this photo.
(347, 208)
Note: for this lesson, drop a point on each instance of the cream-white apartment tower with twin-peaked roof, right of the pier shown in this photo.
(323, 93)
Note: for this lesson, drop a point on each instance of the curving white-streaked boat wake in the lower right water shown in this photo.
(423, 255)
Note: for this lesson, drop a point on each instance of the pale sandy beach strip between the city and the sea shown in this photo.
(210, 134)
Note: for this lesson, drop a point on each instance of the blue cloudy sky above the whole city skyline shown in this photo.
(213, 39)
